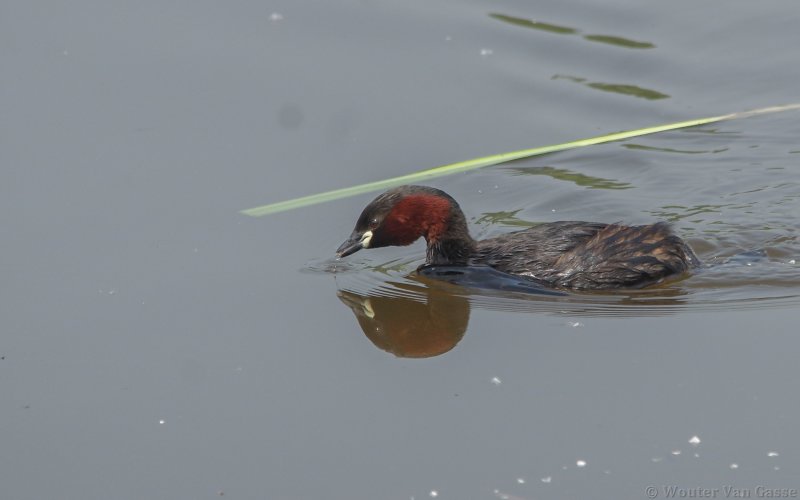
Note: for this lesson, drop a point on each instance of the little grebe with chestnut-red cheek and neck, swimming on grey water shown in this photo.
(567, 254)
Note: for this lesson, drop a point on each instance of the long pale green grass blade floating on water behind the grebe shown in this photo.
(486, 161)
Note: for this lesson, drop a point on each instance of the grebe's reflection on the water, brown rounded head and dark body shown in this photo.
(427, 313)
